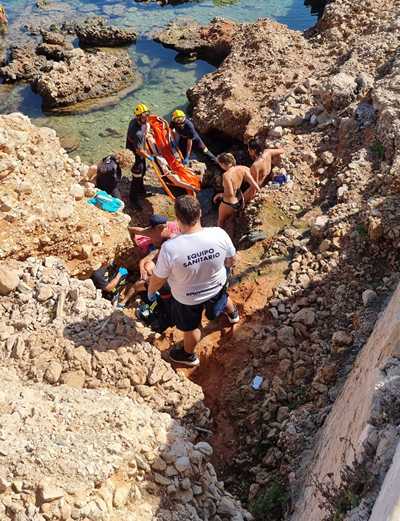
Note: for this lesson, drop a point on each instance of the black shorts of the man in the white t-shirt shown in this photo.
(188, 318)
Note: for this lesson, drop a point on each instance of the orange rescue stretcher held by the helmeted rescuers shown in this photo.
(171, 173)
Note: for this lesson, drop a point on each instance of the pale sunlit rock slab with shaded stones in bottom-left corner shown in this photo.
(111, 459)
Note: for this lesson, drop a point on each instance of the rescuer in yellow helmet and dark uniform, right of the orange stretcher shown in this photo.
(187, 138)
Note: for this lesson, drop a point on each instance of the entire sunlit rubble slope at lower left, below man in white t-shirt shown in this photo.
(107, 452)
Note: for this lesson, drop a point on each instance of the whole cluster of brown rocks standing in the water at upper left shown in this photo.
(65, 76)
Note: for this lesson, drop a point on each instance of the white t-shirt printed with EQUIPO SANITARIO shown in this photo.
(194, 264)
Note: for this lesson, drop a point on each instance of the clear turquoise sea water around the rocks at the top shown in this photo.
(165, 80)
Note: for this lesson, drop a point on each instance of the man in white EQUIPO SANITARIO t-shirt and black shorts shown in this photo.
(195, 265)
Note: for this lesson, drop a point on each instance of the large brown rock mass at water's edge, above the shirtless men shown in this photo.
(265, 58)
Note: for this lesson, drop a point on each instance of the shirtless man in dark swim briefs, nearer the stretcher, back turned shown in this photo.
(232, 198)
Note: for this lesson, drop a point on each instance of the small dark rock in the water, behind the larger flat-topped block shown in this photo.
(95, 31)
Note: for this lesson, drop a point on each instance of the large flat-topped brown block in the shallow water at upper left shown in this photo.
(85, 76)
